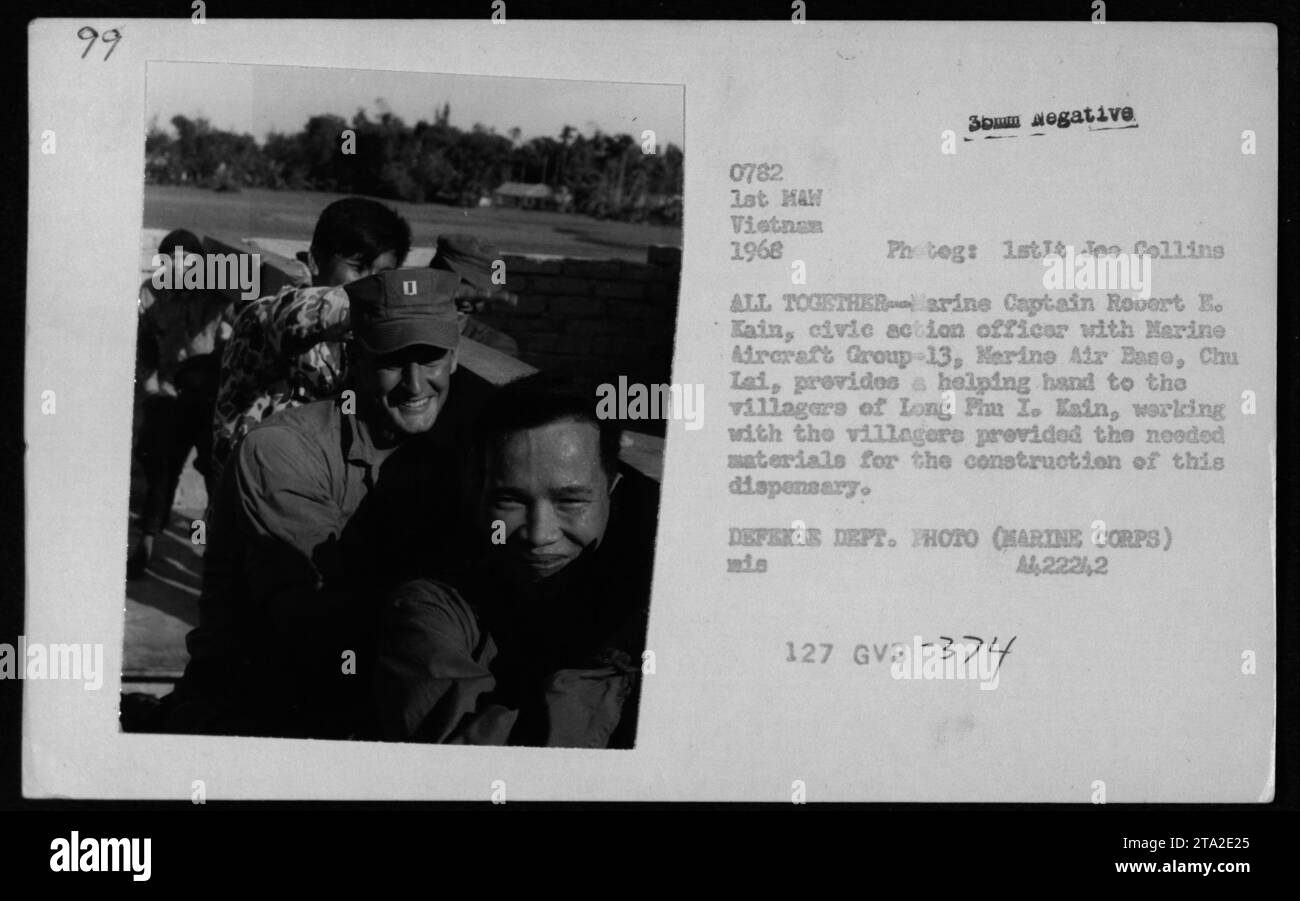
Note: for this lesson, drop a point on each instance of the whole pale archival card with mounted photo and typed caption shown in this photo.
(413, 421)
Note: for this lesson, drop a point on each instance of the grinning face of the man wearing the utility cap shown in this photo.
(405, 391)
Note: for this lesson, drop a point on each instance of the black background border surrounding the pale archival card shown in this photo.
(982, 848)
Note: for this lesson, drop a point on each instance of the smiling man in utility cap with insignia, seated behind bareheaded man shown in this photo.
(301, 523)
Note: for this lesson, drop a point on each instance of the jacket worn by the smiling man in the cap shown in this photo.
(310, 531)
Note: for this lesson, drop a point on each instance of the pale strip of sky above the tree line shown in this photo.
(263, 99)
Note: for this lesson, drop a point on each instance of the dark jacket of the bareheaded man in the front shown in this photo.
(486, 657)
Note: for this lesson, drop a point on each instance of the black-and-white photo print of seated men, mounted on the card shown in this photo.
(375, 491)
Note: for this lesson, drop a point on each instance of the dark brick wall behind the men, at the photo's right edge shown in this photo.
(599, 319)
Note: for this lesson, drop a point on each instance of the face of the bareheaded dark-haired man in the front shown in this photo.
(549, 490)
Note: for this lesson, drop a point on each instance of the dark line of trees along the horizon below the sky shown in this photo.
(604, 175)
